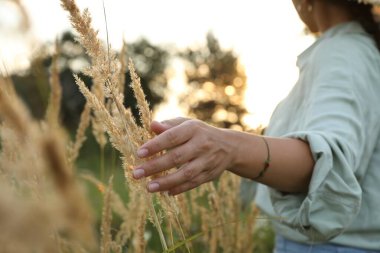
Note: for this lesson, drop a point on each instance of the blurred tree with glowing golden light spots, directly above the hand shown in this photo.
(216, 85)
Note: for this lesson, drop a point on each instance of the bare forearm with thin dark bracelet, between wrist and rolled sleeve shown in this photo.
(290, 167)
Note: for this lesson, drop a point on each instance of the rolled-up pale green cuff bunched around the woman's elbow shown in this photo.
(334, 195)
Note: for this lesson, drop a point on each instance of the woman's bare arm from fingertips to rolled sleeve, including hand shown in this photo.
(202, 153)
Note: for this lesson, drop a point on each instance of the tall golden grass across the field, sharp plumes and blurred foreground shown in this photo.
(43, 205)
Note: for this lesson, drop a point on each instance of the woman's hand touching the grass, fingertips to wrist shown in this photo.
(199, 151)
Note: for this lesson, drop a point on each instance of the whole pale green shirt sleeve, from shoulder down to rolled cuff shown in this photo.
(334, 122)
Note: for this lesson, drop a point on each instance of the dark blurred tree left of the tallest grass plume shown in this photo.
(33, 83)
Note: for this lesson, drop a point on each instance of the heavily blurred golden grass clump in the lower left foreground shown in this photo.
(35, 172)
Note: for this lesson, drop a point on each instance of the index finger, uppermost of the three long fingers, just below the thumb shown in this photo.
(168, 139)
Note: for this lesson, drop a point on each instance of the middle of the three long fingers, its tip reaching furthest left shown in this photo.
(174, 158)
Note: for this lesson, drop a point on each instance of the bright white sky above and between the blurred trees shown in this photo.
(267, 36)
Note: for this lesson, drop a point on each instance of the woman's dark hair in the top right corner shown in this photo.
(363, 13)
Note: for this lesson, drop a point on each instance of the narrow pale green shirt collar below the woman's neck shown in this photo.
(352, 27)
